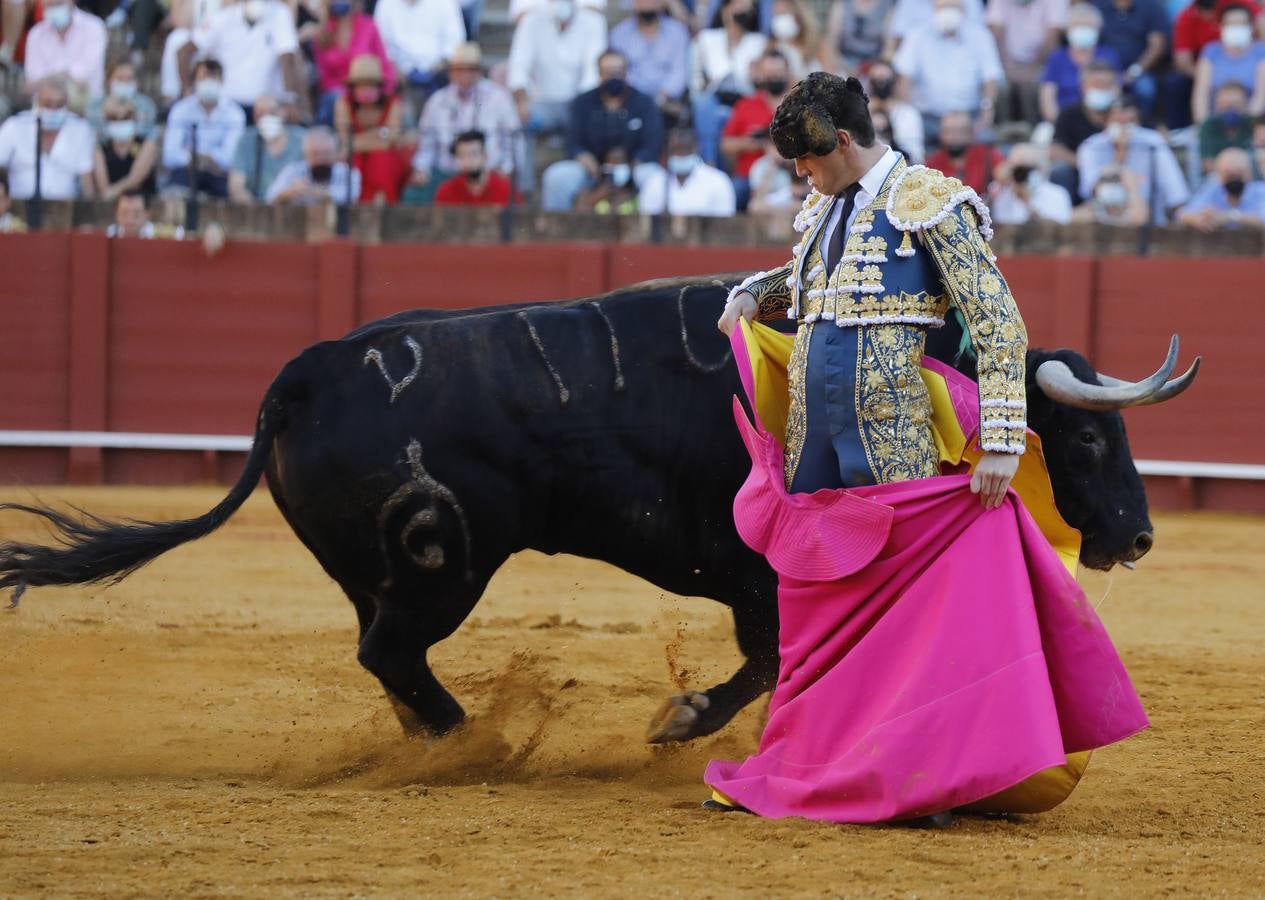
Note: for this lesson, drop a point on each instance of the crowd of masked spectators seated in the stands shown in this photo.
(1120, 112)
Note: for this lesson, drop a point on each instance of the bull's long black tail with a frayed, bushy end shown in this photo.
(92, 550)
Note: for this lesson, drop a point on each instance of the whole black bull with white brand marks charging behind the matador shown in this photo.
(414, 456)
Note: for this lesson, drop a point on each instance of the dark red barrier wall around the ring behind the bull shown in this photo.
(135, 336)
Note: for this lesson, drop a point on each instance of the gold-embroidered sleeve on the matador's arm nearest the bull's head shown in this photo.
(956, 235)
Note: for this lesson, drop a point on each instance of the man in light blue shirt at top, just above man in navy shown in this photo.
(657, 49)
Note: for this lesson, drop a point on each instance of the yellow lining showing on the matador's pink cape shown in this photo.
(770, 353)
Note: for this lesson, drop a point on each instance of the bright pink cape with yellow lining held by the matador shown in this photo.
(934, 655)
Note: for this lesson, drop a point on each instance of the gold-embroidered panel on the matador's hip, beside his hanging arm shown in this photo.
(894, 407)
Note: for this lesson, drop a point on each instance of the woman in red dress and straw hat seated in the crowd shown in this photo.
(367, 118)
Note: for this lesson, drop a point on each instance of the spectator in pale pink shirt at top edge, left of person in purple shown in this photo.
(1027, 32)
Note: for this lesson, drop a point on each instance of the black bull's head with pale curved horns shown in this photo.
(1099, 491)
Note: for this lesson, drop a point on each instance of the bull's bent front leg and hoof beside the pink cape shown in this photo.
(695, 713)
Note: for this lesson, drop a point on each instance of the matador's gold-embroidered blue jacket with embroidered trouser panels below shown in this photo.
(916, 250)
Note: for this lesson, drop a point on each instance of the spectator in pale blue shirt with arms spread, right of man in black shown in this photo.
(1125, 144)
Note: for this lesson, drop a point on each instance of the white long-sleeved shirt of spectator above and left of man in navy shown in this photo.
(553, 65)
